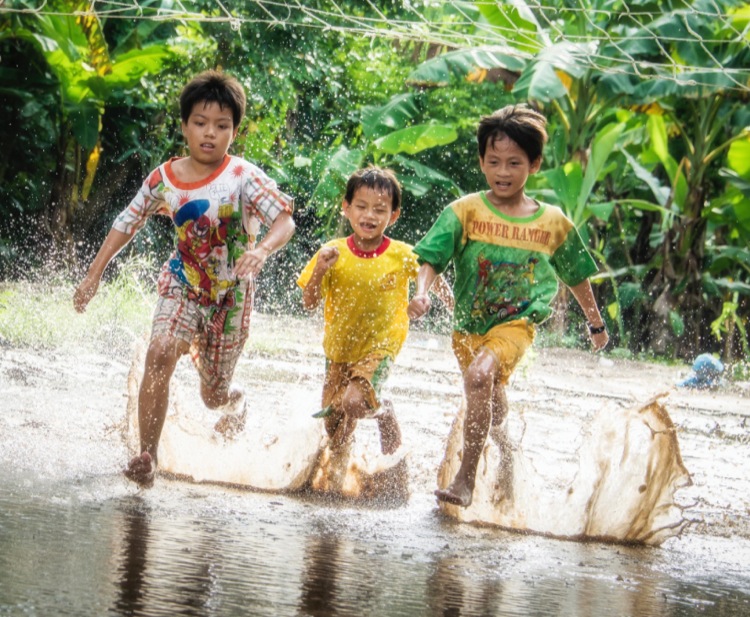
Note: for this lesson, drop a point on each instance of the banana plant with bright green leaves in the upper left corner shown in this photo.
(87, 74)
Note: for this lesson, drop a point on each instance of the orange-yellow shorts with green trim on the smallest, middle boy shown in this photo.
(369, 373)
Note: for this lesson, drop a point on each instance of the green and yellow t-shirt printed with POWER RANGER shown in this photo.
(506, 268)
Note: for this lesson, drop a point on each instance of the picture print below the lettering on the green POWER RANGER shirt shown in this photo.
(503, 289)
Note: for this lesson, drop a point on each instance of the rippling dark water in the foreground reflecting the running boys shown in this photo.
(74, 549)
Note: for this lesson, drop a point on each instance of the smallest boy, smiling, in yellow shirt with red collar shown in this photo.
(363, 281)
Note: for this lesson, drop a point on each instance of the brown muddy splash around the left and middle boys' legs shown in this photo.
(278, 451)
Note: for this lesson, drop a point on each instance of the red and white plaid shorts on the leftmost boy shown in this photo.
(216, 333)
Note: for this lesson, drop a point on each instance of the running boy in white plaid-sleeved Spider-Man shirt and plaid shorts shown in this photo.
(217, 203)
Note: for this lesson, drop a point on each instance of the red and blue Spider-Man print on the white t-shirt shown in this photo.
(201, 245)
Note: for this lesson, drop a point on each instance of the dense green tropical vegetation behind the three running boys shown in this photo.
(647, 102)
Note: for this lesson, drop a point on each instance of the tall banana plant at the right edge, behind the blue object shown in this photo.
(702, 124)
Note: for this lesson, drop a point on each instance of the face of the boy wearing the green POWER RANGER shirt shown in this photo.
(507, 167)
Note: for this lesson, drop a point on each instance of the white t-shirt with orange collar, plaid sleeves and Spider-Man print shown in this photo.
(216, 220)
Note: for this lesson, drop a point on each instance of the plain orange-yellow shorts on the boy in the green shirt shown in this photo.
(507, 342)
